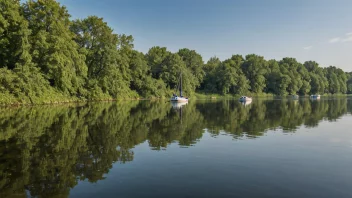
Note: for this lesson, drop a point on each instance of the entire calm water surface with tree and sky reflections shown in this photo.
(221, 148)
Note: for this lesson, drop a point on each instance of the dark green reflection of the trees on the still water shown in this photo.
(46, 150)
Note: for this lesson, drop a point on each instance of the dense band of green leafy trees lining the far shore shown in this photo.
(48, 58)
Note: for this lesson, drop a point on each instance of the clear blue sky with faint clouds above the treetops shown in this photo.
(319, 30)
